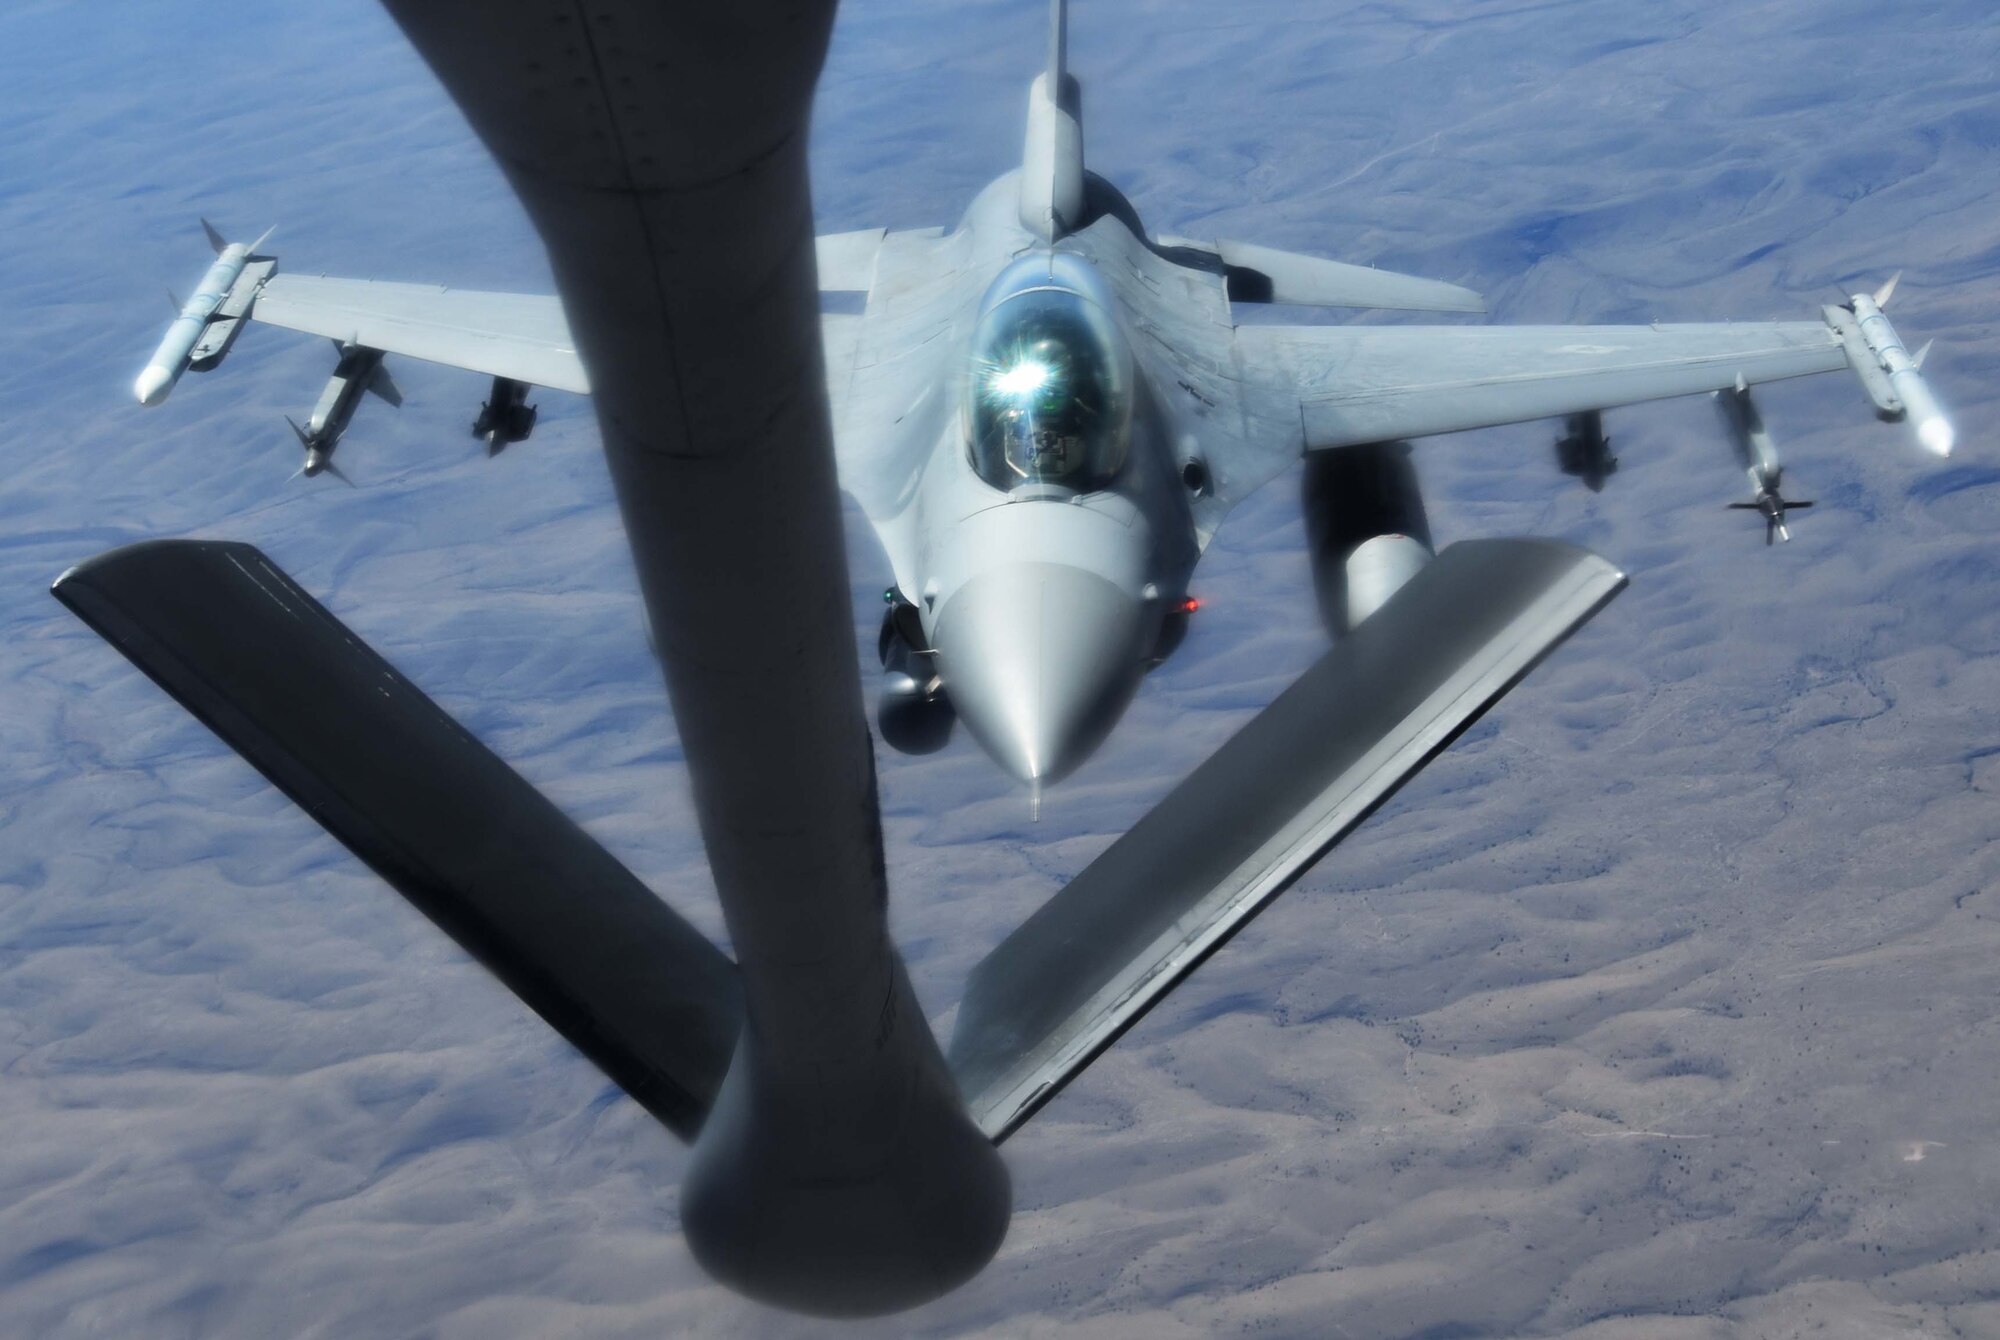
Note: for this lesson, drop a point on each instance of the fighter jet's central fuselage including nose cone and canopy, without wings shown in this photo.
(1053, 527)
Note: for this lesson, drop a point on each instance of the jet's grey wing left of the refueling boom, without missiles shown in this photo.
(521, 337)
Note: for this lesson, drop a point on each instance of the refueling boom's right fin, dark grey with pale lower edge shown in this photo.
(1261, 813)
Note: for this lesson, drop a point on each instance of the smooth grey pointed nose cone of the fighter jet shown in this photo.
(1041, 661)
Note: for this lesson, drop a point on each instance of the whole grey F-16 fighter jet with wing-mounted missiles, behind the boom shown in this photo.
(1047, 413)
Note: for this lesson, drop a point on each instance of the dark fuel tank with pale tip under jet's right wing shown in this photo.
(1365, 529)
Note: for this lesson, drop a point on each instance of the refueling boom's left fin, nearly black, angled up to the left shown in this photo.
(433, 811)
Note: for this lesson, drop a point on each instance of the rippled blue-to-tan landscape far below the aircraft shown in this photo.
(1661, 1005)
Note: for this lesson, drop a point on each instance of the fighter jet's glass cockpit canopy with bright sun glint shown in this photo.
(1051, 389)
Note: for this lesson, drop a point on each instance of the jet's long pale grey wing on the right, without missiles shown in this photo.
(1387, 383)
